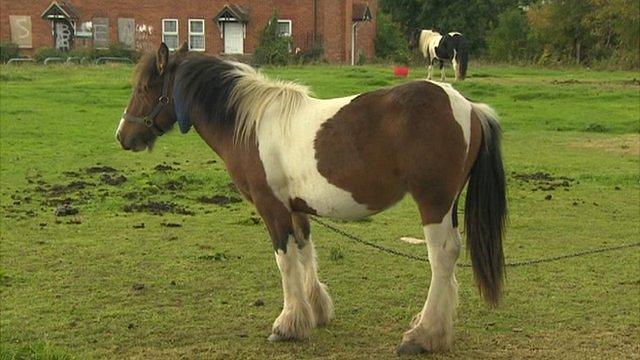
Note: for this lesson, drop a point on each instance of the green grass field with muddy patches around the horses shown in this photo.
(199, 280)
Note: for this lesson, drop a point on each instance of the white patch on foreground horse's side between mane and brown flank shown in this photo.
(290, 164)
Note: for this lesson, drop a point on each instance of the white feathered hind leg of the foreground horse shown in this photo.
(433, 326)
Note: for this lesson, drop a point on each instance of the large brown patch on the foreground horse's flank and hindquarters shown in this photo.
(393, 140)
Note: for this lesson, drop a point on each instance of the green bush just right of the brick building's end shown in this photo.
(390, 43)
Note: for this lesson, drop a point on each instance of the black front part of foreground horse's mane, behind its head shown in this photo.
(201, 89)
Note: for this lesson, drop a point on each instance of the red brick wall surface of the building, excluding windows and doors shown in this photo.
(333, 23)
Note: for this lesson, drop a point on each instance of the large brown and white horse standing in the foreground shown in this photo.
(292, 155)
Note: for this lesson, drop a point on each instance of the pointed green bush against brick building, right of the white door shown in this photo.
(272, 49)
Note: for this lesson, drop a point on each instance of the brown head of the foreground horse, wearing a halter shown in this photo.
(150, 112)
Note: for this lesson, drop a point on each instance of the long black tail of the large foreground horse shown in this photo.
(486, 209)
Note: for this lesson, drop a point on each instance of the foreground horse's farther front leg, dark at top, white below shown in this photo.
(316, 291)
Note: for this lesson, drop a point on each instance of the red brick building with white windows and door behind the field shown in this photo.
(211, 26)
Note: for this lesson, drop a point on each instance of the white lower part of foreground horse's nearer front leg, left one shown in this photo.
(296, 319)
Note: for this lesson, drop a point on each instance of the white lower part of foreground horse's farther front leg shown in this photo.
(316, 291)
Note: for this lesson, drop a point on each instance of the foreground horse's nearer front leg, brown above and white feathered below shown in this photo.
(297, 317)
